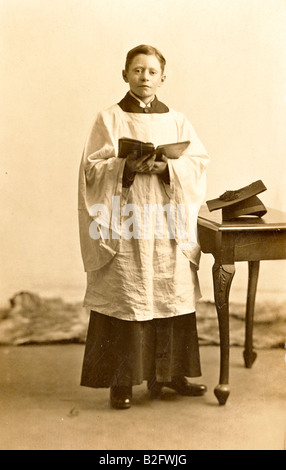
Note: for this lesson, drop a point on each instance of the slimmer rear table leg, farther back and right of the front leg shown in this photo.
(249, 354)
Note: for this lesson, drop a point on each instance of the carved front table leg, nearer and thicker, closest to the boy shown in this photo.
(223, 276)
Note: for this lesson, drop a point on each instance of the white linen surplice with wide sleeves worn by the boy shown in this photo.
(146, 276)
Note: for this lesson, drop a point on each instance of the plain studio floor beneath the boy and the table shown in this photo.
(43, 408)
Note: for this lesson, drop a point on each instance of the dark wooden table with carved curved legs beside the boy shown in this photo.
(245, 239)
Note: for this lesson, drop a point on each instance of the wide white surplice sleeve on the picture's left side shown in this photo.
(100, 180)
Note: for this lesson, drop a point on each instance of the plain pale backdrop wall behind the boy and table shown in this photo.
(61, 62)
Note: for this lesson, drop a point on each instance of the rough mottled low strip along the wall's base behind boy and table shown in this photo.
(32, 319)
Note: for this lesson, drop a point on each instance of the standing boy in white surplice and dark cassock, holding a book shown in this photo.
(142, 284)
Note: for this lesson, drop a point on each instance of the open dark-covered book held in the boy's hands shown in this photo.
(127, 146)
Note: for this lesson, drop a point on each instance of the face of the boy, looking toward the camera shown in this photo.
(144, 76)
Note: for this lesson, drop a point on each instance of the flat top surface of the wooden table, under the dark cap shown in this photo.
(273, 220)
